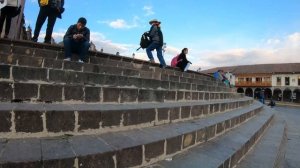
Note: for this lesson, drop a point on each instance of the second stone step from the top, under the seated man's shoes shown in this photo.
(102, 68)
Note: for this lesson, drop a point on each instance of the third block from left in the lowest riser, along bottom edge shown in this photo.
(154, 150)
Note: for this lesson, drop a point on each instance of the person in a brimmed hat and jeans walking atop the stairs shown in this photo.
(157, 42)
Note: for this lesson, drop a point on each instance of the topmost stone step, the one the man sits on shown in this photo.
(56, 52)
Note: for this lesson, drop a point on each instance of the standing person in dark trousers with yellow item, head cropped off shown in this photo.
(50, 9)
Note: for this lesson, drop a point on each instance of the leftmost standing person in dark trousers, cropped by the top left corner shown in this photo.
(12, 9)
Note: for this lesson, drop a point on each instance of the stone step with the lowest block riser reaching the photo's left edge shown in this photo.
(19, 120)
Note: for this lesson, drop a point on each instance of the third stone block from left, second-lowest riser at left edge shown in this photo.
(51, 92)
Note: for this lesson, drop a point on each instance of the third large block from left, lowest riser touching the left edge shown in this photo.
(57, 121)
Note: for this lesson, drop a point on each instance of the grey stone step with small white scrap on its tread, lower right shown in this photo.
(224, 151)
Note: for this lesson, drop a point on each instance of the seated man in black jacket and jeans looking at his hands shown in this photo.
(77, 40)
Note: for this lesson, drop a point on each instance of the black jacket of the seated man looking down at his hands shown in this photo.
(73, 30)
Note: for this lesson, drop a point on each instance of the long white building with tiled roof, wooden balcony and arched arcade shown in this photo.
(278, 81)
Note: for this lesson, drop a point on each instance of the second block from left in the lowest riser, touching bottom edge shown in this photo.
(130, 157)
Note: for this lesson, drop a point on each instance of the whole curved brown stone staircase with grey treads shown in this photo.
(115, 111)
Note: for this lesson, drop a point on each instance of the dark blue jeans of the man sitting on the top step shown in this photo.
(80, 47)
